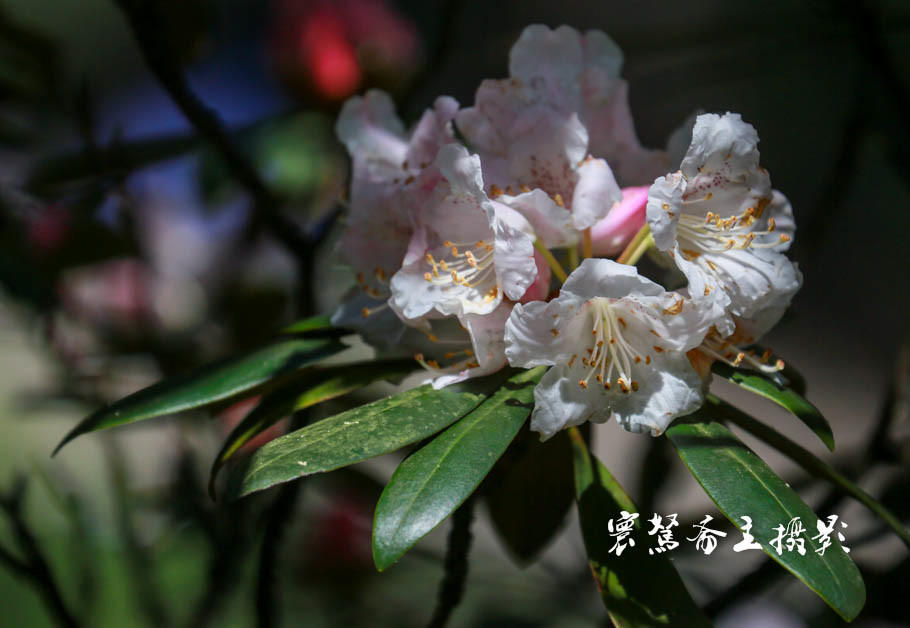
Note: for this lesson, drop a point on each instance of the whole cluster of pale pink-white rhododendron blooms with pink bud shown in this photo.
(479, 239)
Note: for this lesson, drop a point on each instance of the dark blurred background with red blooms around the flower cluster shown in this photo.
(130, 250)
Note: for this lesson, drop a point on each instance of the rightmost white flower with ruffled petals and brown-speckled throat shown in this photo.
(717, 218)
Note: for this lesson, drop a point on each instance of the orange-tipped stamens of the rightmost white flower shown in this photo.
(714, 234)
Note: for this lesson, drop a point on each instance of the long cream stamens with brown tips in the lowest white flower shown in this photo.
(609, 352)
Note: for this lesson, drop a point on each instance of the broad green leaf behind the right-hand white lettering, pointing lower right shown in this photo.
(740, 483)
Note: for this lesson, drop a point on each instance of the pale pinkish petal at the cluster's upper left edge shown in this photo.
(373, 134)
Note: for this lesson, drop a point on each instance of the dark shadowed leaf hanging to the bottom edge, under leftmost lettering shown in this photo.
(640, 590)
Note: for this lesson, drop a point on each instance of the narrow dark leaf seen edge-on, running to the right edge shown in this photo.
(811, 463)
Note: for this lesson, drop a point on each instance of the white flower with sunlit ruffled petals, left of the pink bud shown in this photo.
(468, 251)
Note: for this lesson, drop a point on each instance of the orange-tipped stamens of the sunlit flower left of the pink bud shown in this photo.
(464, 264)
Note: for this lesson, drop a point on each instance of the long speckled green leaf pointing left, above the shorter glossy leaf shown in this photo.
(360, 433)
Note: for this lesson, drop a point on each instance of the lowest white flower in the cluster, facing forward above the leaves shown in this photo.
(617, 342)
